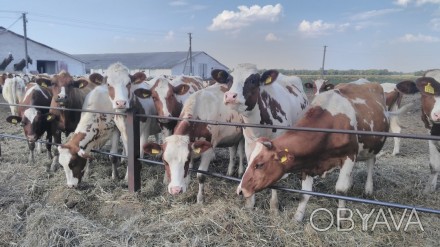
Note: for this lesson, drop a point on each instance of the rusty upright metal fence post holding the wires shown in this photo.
(133, 163)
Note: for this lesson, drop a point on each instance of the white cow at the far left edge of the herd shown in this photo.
(13, 91)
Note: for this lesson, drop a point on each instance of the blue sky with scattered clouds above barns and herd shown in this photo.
(398, 35)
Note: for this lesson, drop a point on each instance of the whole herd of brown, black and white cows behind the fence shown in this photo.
(242, 96)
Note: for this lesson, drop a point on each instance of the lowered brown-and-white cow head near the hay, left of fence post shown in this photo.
(74, 160)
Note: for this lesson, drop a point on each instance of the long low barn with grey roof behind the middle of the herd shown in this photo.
(155, 63)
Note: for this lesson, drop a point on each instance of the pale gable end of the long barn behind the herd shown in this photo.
(202, 66)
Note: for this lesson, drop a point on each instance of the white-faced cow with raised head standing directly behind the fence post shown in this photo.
(131, 92)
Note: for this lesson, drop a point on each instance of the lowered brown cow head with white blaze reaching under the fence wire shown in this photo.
(267, 164)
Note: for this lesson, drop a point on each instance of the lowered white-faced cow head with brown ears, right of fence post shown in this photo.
(176, 155)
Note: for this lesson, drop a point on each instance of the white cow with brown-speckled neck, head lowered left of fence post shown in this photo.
(92, 131)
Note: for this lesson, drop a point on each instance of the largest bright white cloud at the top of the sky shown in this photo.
(229, 20)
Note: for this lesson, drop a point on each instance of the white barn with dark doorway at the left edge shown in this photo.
(45, 59)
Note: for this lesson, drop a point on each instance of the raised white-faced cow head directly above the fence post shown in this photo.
(119, 83)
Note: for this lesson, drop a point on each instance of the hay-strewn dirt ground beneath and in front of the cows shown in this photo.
(37, 208)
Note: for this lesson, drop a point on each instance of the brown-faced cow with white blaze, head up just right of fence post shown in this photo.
(170, 95)
